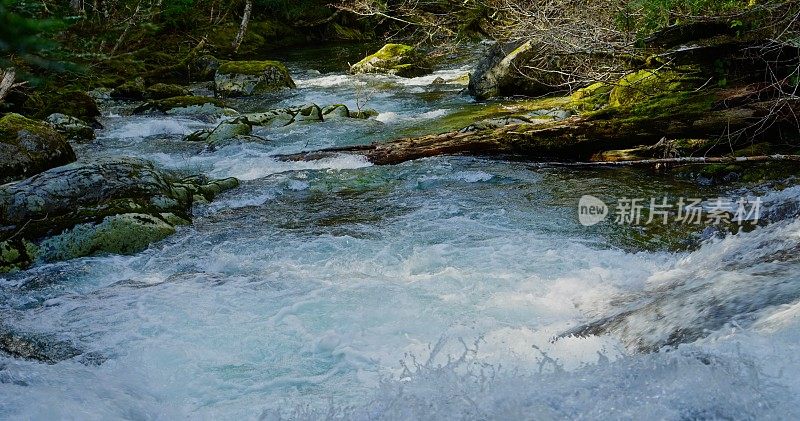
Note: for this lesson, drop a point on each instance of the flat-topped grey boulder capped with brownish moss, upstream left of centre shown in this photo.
(244, 78)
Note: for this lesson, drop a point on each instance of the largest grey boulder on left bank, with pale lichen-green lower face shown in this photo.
(106, 206)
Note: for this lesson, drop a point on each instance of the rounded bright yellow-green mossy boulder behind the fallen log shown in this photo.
(643, 85)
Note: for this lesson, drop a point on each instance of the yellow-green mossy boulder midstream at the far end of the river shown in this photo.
(394, 59)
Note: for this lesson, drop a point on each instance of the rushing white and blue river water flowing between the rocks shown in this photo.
(432, 289)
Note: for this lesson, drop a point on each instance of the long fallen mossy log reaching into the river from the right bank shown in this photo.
(580, 137)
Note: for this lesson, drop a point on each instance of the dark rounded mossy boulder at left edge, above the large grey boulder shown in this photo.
(28, 147)
